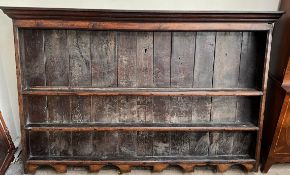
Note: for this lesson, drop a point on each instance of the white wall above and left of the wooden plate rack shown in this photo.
(8, 89)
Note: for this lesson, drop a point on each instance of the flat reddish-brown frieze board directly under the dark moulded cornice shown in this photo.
(141, 26)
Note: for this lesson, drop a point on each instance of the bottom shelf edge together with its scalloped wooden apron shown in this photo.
(187, 164)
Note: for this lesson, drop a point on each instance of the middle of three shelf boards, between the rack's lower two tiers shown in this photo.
(143, 127)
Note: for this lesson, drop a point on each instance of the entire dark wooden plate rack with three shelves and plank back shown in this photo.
(143, 88)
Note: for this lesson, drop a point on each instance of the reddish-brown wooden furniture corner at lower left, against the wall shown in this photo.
(4, 135)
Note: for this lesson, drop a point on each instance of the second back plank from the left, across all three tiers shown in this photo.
(57, 74)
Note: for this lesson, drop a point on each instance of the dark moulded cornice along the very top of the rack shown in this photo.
(140, 16)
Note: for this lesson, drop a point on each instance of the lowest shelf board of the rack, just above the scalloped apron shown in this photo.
(147, 159)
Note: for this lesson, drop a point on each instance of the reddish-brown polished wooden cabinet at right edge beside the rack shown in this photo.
(275, 138)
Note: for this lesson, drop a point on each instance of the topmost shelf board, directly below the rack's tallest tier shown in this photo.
(142, 91)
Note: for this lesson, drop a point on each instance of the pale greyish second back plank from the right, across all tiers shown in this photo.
(228, 52)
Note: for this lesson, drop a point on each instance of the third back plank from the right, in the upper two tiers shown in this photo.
(203, 74)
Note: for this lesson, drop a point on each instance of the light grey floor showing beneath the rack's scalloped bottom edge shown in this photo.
(16, 169)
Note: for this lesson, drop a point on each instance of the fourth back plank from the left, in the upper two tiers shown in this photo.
(104, 74)
